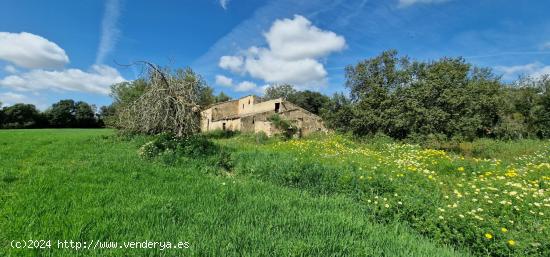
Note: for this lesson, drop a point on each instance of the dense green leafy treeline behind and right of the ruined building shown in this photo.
(444, 99)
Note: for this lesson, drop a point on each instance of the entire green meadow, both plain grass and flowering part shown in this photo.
(326, 195)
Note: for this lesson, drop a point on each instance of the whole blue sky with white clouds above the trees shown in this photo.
(64, 49)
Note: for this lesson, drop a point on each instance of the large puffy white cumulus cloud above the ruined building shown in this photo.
(294, 47)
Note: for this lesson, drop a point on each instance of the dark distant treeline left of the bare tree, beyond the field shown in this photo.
(63, 114)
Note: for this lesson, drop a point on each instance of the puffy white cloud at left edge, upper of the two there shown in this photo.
(31, 51)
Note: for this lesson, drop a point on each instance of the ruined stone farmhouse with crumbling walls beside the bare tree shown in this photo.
(249, 115)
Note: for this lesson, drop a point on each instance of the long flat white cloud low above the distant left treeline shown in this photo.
(98, 80)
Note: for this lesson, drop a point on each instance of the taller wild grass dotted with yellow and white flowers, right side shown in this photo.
(497, 205)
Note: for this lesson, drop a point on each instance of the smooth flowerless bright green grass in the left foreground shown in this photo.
(78, 185)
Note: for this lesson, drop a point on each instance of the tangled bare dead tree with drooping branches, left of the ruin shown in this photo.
(170, 104)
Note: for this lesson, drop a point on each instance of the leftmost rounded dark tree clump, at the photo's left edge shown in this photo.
(21, 116)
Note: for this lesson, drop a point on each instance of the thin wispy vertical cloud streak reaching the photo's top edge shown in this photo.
(109, 30)
